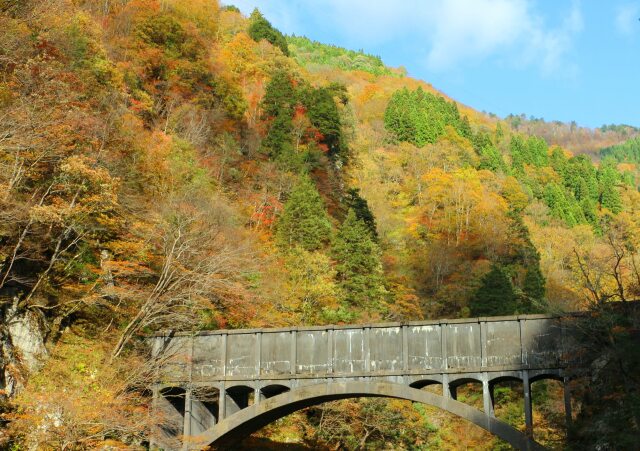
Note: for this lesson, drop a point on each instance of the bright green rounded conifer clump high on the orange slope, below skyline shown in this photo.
(420, 117)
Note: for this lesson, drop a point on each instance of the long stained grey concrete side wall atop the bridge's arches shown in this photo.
(427, 347)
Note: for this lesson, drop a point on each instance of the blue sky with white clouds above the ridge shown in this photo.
(557, 59)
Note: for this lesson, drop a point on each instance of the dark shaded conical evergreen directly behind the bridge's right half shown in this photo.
(495, 296)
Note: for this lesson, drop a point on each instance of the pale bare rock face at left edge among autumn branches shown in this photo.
(22, 348)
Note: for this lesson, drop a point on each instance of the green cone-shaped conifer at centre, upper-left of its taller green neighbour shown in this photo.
(304, 220)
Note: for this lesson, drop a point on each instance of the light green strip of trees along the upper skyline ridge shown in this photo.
(307, 52)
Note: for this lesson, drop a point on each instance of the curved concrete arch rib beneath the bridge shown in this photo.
(256, 416)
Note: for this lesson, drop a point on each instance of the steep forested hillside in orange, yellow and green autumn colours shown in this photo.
(177, 165)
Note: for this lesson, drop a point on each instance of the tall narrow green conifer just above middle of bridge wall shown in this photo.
(358, 264)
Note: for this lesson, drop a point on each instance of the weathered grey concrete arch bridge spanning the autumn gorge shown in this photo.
(216, 387)
